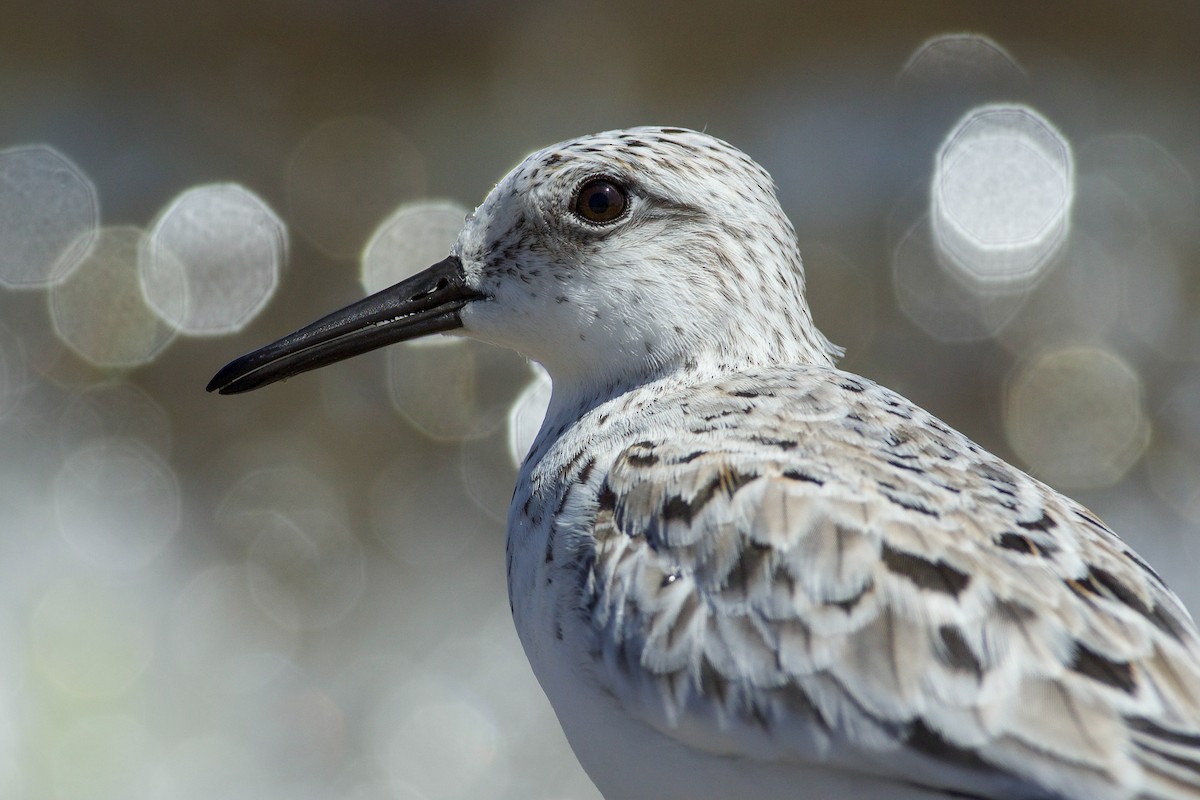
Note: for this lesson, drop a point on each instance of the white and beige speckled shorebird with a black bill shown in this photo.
(737, 570)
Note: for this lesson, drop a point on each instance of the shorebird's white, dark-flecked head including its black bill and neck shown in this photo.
(611, 260)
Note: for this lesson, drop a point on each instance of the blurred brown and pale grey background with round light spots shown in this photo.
(299, 593)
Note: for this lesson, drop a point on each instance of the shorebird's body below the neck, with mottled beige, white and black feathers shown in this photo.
(797, 567)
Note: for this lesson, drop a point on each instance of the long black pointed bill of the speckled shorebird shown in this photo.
(428, 303)
